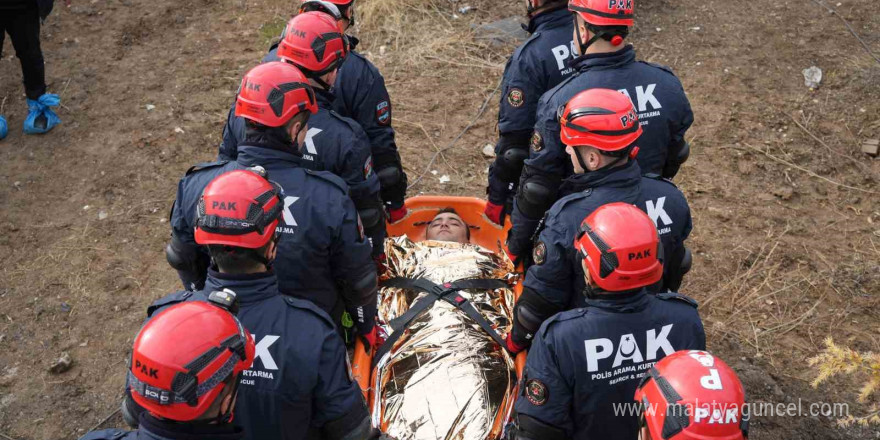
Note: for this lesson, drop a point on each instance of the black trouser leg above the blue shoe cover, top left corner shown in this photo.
(24, 31)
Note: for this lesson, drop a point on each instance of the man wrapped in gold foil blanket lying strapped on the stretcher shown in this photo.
(445, 304)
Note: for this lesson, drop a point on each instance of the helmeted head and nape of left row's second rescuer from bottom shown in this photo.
(237, 218)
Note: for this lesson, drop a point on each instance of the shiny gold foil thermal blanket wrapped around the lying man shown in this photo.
(445, 378)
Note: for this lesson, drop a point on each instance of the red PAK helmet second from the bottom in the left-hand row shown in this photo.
(240, 208)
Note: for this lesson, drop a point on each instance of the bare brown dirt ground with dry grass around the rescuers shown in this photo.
(784, 259)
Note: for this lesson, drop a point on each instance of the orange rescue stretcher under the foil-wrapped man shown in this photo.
(484, 233)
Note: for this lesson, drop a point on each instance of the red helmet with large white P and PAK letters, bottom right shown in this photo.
(693, 395)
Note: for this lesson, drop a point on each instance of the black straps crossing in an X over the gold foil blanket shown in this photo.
(447, 292)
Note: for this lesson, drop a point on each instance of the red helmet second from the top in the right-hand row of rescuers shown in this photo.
(604, 119)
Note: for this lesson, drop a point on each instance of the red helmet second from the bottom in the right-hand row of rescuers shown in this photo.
(619, 245)
